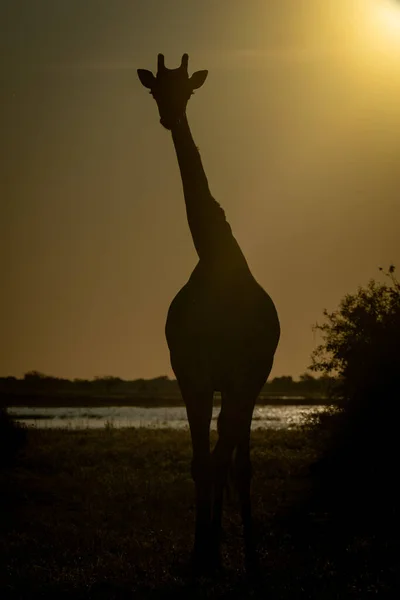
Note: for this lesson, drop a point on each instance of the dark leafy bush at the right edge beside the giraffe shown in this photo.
(361, 346)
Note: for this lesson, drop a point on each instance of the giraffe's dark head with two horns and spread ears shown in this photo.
(171, 89)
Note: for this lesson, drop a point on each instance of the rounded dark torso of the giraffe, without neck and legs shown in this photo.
(218, 329)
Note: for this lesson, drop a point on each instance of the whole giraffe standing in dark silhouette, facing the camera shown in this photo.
(222, 330)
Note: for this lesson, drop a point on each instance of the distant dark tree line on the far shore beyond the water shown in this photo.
(38, 383)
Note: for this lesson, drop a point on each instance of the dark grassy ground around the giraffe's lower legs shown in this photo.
(109, 514)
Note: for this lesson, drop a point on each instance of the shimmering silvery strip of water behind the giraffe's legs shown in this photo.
(264, 417)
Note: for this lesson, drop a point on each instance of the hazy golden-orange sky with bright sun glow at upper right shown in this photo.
(298, 126)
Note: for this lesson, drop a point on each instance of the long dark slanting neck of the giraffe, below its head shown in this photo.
(211, 233)
